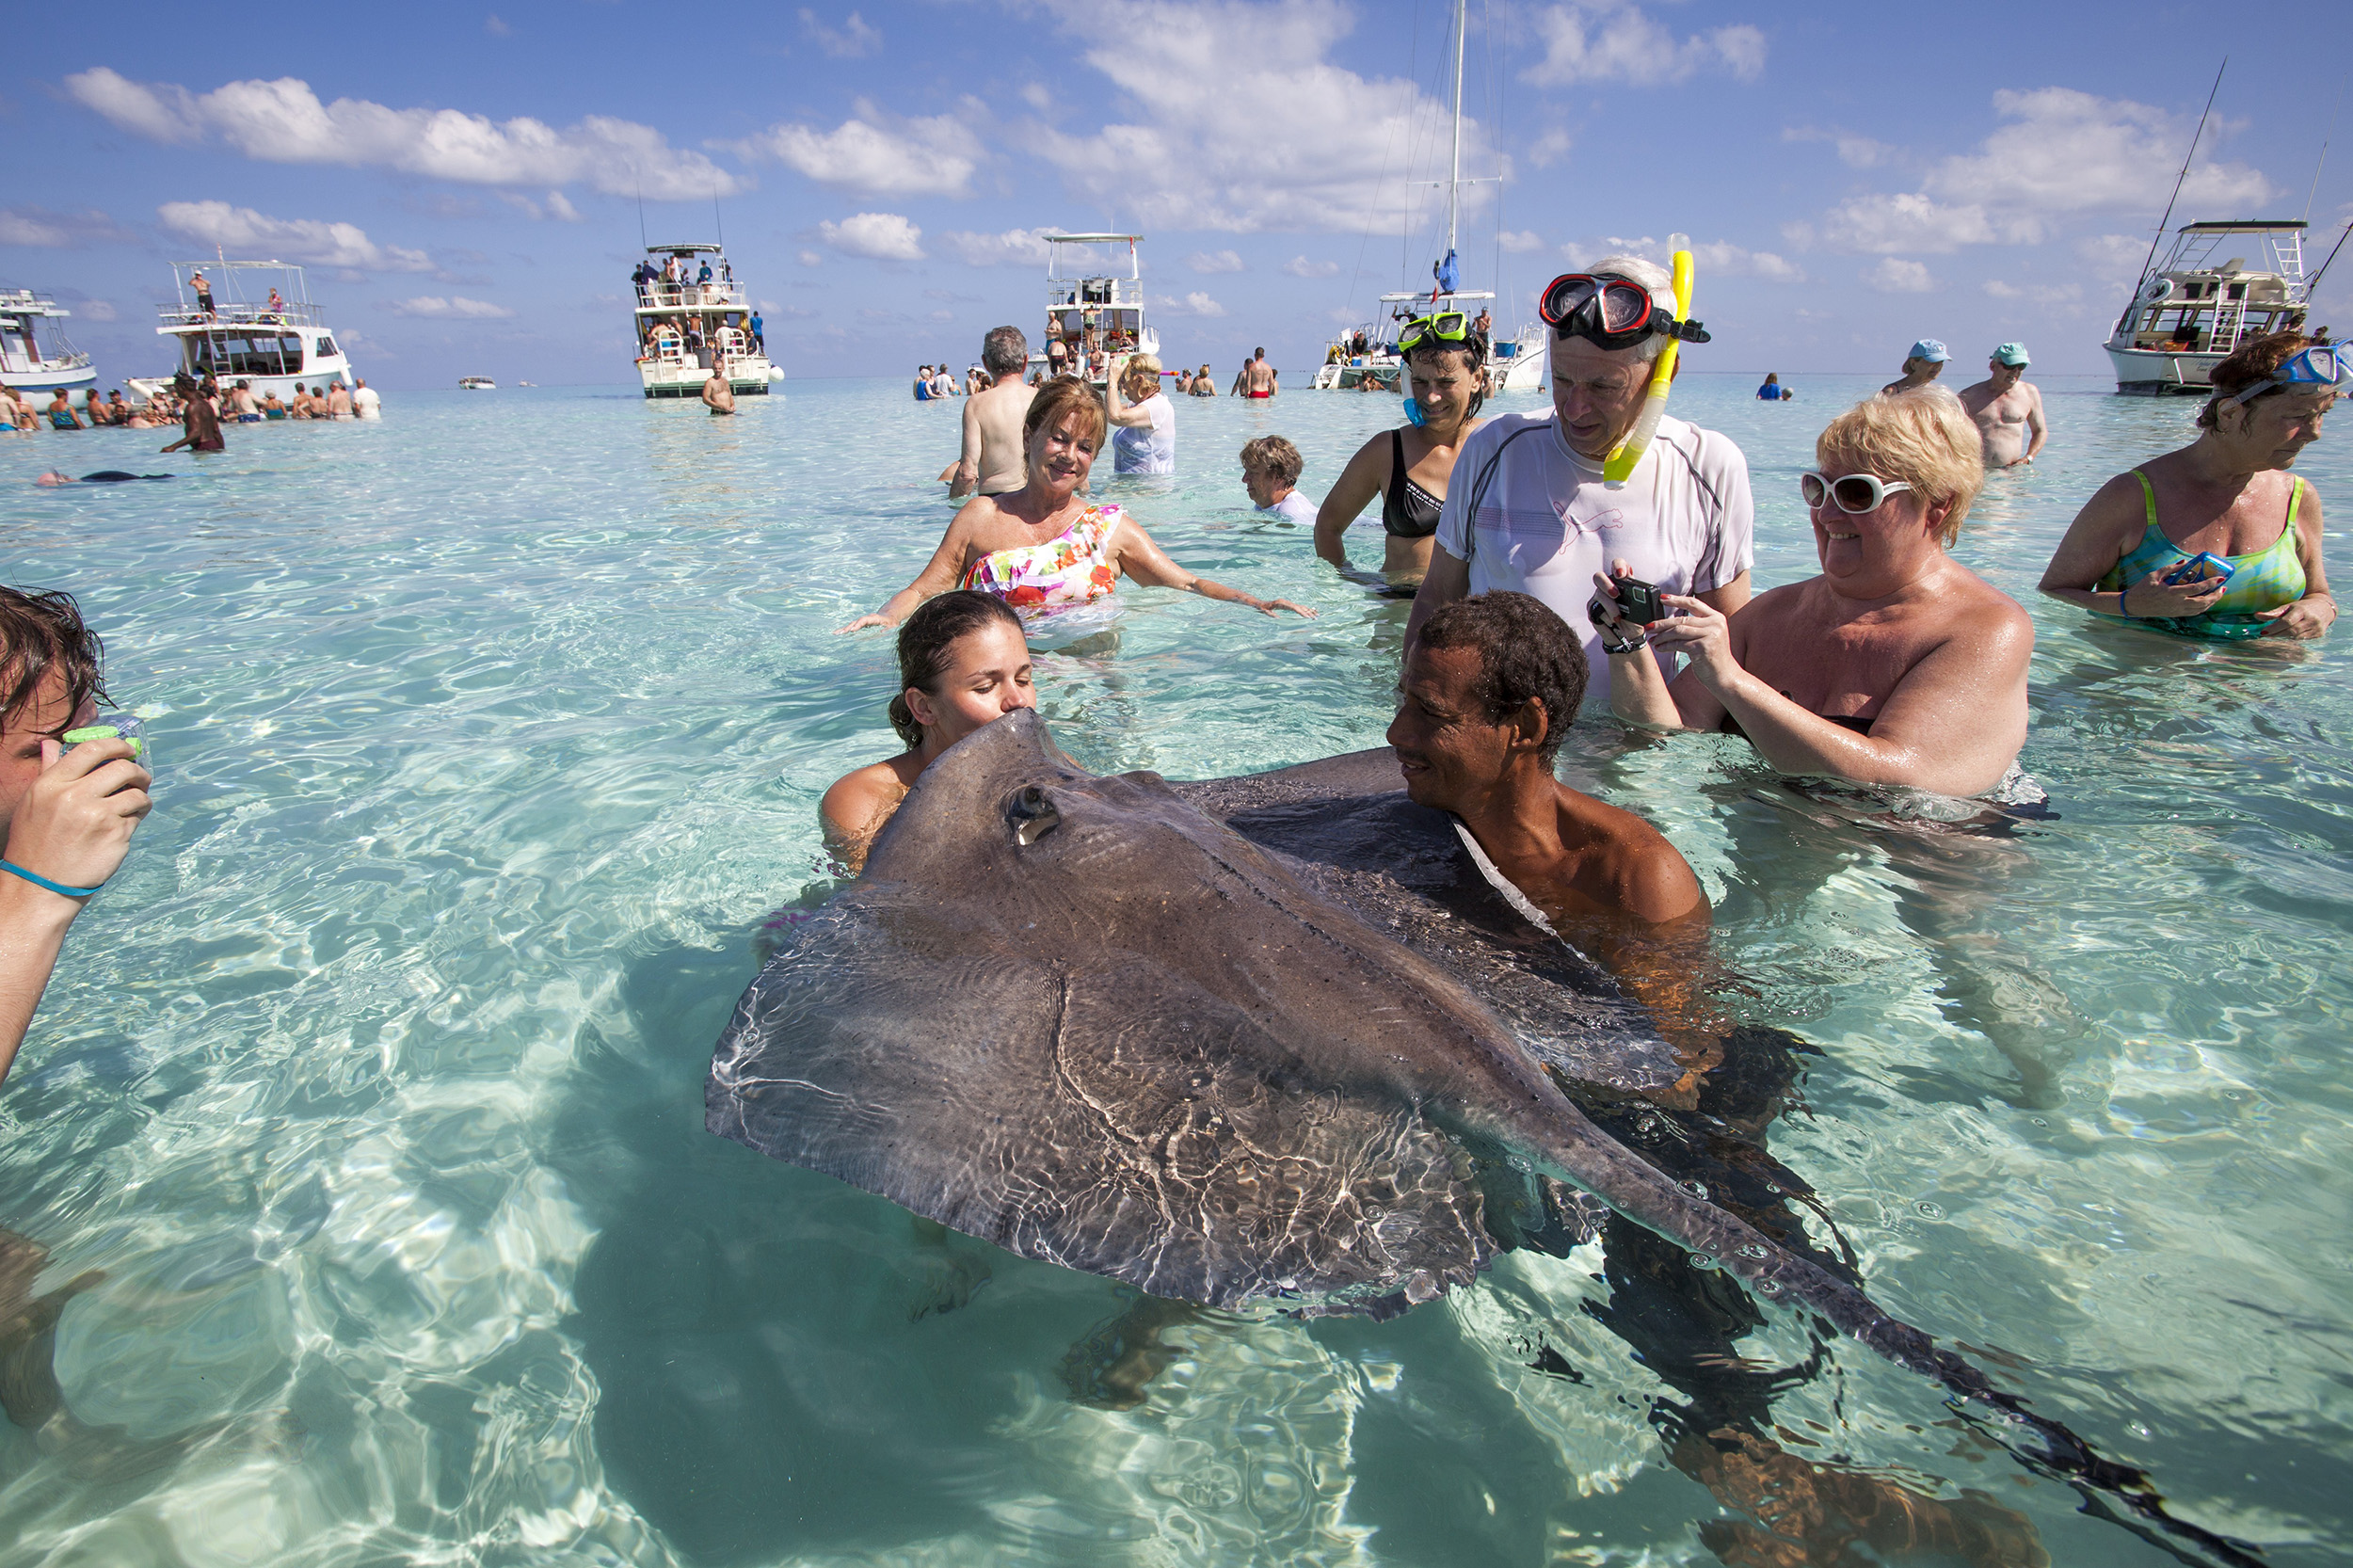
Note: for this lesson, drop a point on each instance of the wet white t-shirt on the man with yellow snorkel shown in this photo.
(1547, 524)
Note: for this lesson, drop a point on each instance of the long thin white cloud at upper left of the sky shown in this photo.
(286, 124)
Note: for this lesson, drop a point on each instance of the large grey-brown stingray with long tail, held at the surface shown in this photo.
(1258, 1039)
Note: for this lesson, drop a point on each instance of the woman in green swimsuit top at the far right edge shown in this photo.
(2138, 550)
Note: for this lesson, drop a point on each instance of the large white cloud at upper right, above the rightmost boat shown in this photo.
(2062, 154)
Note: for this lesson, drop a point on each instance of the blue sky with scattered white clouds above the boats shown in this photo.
(465, 182)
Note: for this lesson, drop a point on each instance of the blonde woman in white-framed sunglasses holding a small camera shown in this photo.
(1895, 665)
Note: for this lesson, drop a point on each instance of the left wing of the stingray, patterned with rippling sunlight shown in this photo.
(1105, 1115)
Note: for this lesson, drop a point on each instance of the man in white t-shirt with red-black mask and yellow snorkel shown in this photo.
(1528, 510)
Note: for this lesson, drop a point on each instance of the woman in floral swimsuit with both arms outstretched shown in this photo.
(1046, 547)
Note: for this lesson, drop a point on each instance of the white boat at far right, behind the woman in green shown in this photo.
(2189, 310)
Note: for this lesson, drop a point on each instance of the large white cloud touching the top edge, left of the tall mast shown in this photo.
(1239, 121)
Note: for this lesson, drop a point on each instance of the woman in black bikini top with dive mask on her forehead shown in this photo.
(1406, 470)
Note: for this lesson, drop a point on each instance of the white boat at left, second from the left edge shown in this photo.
(272, 343)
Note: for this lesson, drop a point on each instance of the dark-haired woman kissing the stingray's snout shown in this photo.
(964, 663)
